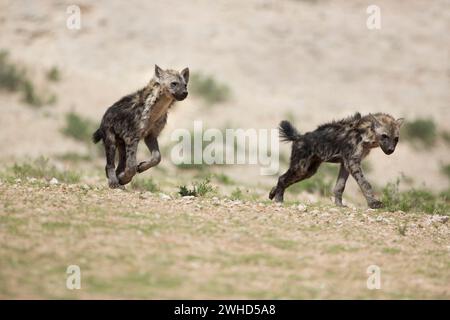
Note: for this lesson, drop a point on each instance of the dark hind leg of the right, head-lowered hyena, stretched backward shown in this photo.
(294, 174)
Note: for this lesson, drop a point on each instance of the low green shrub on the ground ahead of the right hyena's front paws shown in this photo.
(413, 200)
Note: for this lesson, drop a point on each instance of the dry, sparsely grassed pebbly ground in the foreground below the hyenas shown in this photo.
(131, 244)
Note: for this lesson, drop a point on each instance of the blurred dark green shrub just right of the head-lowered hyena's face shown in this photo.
(421, 131)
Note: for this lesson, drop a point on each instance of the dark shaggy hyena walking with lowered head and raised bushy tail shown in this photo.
(347, 142)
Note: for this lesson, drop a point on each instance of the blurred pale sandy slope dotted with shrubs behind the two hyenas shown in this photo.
(253, 63)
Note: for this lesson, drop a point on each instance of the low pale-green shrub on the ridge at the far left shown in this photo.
(41, 169)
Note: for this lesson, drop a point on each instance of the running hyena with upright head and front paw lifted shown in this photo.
(140, 115)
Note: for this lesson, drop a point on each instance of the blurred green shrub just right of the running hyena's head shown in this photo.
(209, 89)
